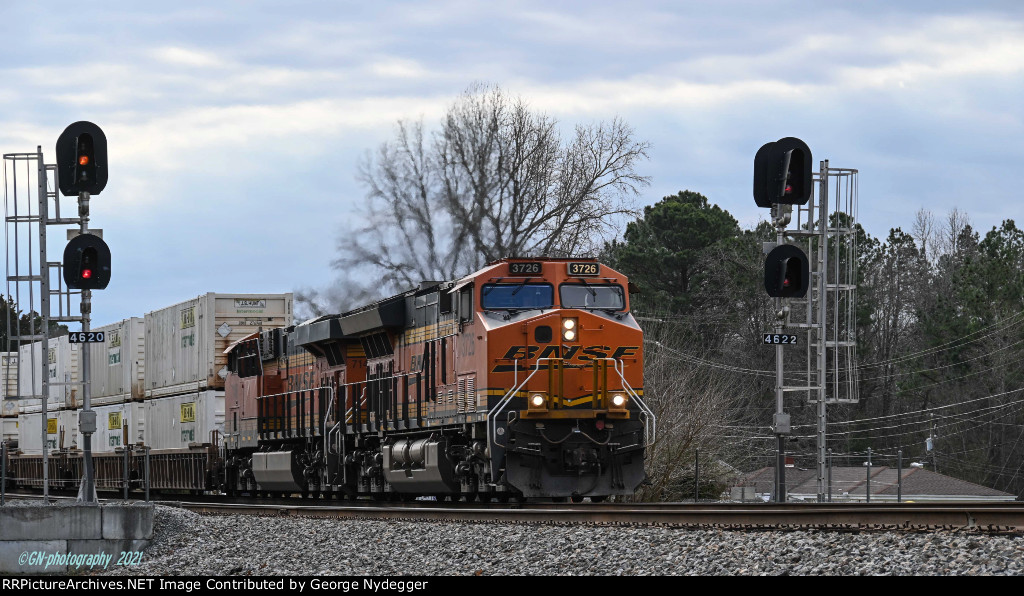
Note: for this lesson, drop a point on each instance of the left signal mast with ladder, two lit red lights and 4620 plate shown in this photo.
(30, 208)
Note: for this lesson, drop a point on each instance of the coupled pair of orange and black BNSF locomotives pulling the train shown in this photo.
(522, 380)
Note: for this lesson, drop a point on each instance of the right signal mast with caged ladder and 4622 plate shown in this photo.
(815, 299)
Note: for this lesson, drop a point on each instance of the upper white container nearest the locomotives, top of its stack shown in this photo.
(185, 344)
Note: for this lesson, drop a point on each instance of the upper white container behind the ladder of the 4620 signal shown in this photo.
(63, 361)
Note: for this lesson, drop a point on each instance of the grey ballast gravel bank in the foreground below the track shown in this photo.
(189, 544)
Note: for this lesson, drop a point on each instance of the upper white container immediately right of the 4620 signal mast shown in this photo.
(117, 365)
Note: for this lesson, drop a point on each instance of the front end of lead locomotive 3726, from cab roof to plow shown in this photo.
(564, 378)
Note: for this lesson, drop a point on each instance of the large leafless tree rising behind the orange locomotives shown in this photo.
(497, 180)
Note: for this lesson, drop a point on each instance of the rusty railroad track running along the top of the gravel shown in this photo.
(988, 518)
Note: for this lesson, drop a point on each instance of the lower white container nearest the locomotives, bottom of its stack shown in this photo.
(178, 421)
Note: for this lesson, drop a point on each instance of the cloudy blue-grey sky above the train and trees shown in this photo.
(235, 129)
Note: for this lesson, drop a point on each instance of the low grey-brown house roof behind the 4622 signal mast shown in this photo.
(854, 482)
